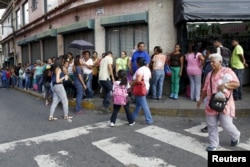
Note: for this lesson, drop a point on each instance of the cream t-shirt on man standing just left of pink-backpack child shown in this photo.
(104, 74)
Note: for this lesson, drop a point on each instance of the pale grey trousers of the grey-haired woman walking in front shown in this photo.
(226, 123)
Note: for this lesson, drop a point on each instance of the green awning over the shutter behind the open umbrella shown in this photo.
(88, 24)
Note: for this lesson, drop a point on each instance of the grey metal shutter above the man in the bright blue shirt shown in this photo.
(125, 38)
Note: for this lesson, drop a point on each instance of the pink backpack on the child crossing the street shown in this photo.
(120, 94)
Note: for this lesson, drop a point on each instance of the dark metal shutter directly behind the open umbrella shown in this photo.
(87, 35)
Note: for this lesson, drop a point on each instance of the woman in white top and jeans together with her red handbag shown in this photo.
(140, 88)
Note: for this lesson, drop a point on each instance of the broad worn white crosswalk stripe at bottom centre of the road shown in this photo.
(121, 152)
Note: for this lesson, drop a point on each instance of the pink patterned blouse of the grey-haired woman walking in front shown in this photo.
(230, 107)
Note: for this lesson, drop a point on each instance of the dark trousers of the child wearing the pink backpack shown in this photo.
(116, 109)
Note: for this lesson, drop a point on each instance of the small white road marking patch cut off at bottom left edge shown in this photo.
(47, 161)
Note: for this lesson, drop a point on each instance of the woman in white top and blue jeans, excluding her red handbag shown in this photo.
(142, 73)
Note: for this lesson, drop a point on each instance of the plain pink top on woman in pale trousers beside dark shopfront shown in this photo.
(193, 64)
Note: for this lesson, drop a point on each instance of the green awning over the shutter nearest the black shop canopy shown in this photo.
(125, 19)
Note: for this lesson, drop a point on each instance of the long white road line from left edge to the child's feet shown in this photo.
(57, 136)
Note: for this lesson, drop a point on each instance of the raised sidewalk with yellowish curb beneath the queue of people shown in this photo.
(183, 107)
